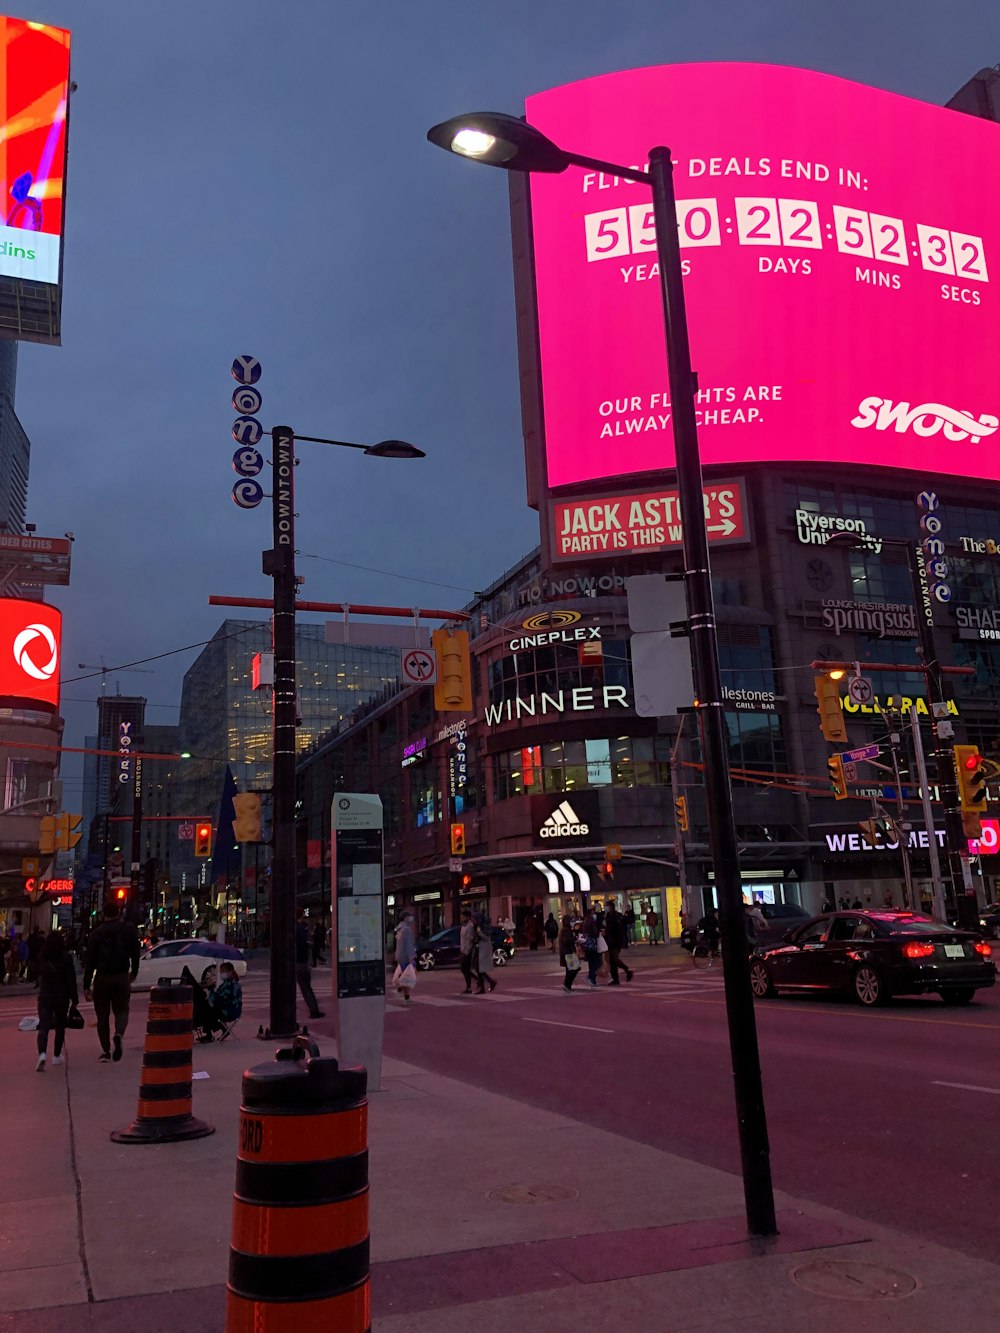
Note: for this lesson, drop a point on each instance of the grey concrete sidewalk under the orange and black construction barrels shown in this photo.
(486, 1214)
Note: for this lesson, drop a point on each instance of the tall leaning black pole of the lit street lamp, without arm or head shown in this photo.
(705, 651)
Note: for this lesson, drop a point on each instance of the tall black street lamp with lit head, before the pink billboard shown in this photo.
(507, 142)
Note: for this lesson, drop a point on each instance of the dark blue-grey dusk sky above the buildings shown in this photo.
(255, 179)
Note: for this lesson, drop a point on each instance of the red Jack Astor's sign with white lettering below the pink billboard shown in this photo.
(643, 522)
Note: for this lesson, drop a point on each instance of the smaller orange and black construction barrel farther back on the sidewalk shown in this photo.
(165, 1083)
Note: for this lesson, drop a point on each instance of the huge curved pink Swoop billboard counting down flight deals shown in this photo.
(837, 245)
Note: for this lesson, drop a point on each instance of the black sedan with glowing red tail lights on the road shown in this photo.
(874, 956)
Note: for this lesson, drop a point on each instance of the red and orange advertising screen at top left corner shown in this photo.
(34, 91)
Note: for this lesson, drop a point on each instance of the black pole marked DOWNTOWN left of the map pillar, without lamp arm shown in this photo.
(279, 563)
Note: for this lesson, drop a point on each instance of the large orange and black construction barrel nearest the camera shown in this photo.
(299, 1256)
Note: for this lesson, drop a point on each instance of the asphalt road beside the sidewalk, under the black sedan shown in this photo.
(890, 1114)
